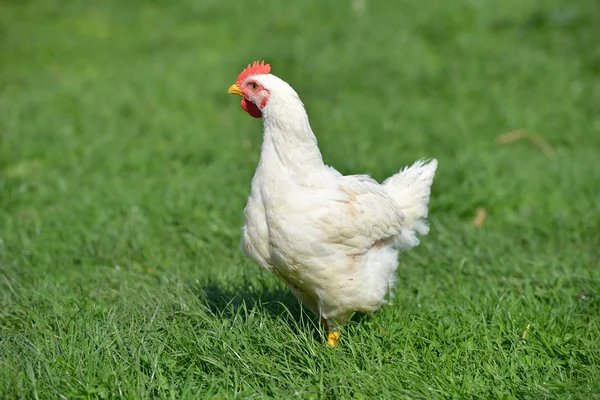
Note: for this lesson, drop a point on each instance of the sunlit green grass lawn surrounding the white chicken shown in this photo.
(125, 167)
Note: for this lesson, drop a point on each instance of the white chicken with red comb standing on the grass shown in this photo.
(333, 239)
